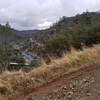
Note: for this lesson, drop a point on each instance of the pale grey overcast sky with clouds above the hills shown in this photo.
(39, 14)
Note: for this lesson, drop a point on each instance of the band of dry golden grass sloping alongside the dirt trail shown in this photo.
(18, 83)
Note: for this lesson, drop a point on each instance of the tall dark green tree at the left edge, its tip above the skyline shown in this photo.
(5, 47)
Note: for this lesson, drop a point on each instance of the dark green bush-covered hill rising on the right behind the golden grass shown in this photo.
(78, 31)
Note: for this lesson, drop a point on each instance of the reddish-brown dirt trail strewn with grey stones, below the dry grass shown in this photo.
(81, 85)
